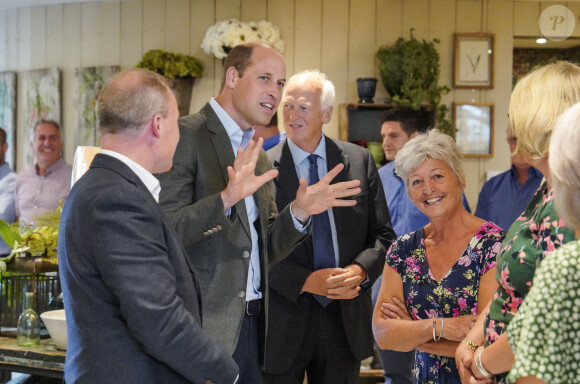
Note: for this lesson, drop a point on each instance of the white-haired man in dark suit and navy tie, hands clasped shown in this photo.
(308, 332)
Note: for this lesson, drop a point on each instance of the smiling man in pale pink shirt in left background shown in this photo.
(44, 186)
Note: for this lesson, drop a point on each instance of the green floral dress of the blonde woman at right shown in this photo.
(538, 231)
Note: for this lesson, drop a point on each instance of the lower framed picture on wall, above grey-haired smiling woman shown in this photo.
(473, 128)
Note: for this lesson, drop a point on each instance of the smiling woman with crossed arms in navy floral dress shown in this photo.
(437, 278)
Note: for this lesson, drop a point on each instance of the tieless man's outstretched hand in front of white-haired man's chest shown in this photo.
(319, 197)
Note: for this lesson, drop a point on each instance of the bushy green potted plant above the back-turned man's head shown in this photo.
(180, 69)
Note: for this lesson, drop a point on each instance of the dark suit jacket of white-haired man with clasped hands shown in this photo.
(364, 234)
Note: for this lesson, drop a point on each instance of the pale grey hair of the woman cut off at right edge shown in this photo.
(564, 160)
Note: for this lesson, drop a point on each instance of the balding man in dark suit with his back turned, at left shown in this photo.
(132, 303)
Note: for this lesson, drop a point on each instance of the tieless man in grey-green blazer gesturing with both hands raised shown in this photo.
(218, 197)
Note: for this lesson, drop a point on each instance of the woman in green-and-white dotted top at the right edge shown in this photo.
(543, 334)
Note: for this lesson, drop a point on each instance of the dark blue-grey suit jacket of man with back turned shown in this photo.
(131, 301)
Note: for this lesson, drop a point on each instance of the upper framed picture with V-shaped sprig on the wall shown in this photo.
(473, 60)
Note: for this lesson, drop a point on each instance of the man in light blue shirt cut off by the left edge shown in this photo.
(6, 191)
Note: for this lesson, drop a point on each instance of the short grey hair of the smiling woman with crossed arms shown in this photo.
(432, 144)
